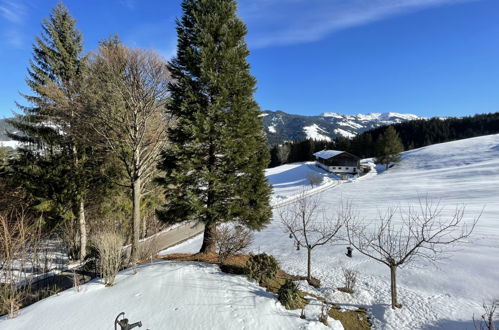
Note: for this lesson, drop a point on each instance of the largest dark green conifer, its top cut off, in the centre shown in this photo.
(215, 166)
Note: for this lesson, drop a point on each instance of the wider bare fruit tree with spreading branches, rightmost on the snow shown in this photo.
(400, 236)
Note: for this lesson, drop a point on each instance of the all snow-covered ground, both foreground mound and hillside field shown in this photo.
(442, 296)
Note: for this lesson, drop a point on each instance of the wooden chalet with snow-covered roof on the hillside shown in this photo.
(335, 161)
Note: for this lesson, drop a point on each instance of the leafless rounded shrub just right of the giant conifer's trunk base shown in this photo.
(231, 240)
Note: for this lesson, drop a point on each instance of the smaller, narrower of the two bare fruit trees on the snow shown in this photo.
(310, 226)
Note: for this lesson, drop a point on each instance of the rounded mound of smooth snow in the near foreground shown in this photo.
(167, 295)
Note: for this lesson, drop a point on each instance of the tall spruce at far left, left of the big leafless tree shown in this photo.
(53, 161)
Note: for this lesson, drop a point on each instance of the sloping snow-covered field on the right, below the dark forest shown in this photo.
(441, 296)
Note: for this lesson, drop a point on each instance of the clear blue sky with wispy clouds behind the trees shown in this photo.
(427, 57)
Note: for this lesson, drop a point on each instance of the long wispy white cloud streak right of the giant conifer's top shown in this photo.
(285, 22)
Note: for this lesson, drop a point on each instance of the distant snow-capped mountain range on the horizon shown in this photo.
(281, 126)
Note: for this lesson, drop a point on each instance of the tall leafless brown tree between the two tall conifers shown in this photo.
(128, 92)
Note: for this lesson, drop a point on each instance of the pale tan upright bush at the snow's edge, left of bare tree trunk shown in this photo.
(109, 246)
